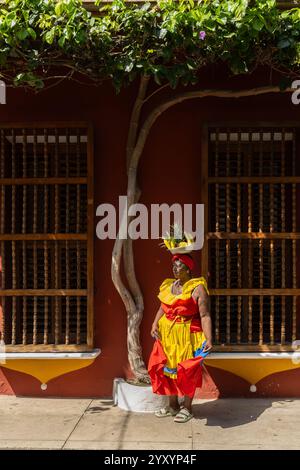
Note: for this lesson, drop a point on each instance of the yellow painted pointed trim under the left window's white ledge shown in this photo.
(45, 370)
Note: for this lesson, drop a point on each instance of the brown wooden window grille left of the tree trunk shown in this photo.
(46, 237)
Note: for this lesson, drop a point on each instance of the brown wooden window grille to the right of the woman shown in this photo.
(251, 191)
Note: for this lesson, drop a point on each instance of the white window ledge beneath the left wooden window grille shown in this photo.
(50, 355)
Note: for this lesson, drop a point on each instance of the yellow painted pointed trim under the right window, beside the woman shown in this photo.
(252, 370)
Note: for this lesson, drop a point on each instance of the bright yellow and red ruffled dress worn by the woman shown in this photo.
(176, 359)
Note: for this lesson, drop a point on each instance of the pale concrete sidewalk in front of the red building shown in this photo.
(57, 423)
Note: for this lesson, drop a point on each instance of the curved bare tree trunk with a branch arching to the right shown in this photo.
(132, 297)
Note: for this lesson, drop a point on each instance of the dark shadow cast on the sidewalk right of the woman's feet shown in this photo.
(231, 412)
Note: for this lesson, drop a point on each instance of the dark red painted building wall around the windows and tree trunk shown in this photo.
(170, 171)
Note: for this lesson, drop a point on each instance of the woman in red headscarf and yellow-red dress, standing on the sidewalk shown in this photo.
(183, 333)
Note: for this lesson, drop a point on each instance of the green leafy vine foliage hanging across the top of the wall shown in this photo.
(170, 41)
